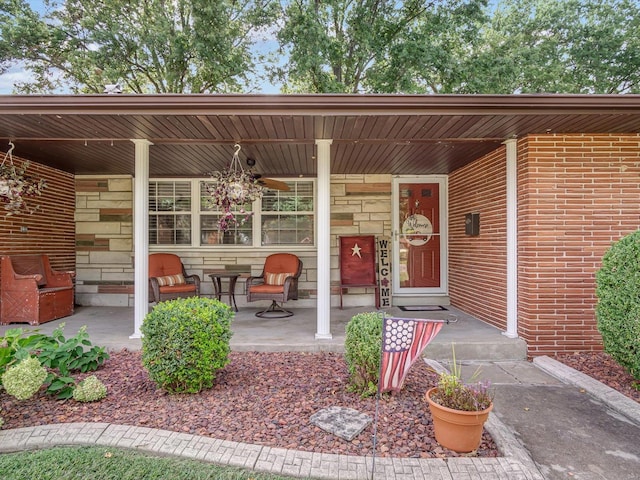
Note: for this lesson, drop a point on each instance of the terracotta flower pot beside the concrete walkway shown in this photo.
(457, 430)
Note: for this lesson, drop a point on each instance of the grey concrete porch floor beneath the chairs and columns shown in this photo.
(473, 339)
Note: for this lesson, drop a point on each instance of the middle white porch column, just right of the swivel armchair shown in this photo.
(323, 210)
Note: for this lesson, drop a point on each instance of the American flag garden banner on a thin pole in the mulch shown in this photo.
(403, 340)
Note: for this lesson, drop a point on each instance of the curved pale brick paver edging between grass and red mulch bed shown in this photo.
(262, 458)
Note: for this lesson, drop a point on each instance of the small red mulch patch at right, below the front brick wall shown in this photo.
(603, 368)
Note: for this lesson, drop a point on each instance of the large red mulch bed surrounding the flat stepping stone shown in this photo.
(259, 398)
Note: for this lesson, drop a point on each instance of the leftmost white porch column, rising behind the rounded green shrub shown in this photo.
(141, 233)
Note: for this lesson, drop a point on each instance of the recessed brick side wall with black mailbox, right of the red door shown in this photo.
(477, 264)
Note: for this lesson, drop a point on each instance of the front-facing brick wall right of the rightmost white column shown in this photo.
(578, 194)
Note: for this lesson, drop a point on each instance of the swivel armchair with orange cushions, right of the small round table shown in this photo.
(278, 283)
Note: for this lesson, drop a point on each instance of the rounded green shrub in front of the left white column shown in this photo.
(185, 342)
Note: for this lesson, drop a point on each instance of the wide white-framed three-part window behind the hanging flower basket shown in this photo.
(181, 214)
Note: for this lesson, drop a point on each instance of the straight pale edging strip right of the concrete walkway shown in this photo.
(607, 395)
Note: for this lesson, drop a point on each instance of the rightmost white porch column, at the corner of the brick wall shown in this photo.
(512, 239)
